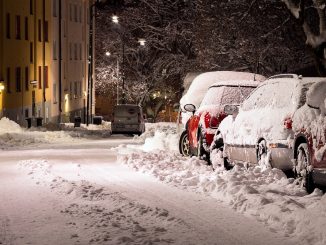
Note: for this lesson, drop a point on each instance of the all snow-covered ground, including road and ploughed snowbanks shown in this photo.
(79, 186)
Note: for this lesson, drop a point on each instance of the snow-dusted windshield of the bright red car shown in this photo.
(223, 95)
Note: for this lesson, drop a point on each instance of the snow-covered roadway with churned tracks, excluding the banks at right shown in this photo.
(80, 194)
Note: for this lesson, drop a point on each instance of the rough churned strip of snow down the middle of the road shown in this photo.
(123, 221)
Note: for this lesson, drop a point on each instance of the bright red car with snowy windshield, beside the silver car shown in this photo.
(201, 127)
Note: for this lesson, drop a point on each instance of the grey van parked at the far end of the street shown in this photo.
(127, 119)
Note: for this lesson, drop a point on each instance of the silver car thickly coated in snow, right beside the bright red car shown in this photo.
(261, 132)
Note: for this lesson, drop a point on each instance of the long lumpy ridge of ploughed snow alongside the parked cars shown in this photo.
(264, 193)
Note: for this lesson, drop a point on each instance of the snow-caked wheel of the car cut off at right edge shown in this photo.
(302, 169)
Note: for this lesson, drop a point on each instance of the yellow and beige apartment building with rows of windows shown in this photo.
(44, 59)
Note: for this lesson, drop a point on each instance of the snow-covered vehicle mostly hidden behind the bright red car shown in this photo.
(197, 91)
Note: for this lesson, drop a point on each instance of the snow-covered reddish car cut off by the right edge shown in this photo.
(310, 138)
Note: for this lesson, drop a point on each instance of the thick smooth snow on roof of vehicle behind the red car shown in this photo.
(203, 81)
